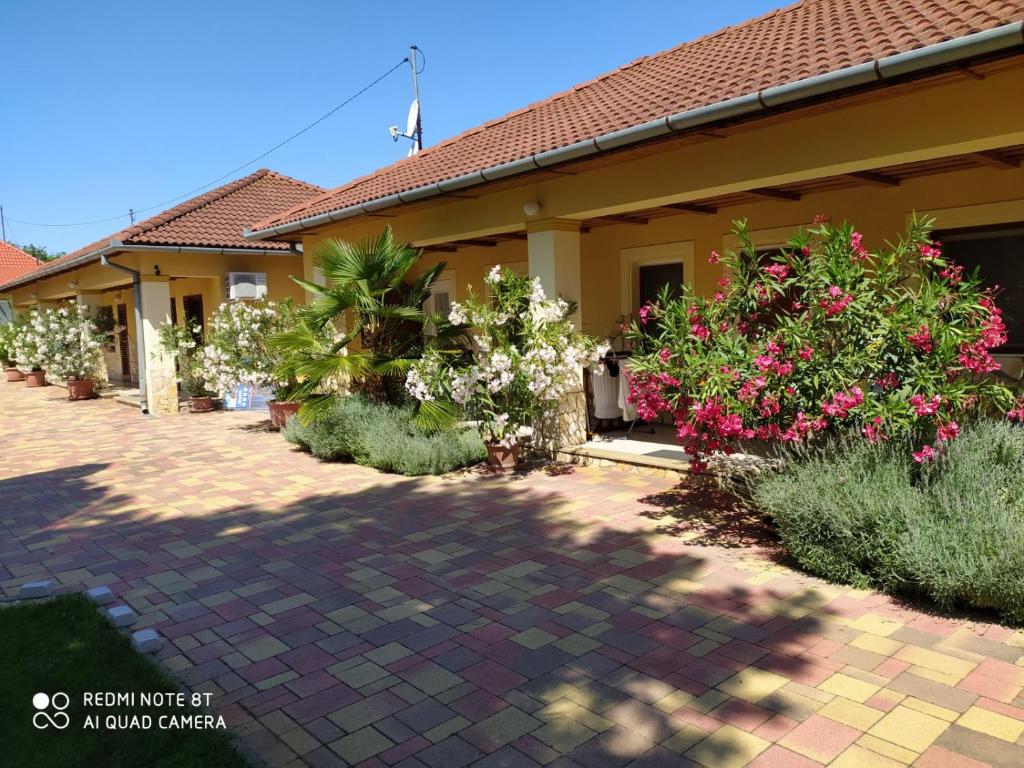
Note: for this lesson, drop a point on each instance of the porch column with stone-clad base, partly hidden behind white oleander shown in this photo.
(553, 250)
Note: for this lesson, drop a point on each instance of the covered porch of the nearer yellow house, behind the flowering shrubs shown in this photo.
(613, 265)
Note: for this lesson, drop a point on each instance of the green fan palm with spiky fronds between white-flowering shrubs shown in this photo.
(366, 326)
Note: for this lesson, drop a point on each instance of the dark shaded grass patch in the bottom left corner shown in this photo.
(65, 646)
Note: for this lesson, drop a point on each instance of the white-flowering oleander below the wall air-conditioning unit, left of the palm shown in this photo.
(237, 349)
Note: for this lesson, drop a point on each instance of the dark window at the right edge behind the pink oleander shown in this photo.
(998, 253)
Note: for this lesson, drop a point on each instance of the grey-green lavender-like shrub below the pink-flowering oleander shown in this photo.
(869, 516)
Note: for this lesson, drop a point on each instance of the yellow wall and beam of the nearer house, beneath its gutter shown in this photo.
(951, 115)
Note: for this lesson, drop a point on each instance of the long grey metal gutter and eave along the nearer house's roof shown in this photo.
(997, 40)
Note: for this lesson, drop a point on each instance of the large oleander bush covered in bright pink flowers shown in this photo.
(820, 337)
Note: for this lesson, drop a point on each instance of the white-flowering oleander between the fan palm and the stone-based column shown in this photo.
(526, 357)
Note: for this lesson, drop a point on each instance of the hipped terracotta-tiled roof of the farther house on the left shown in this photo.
(215, 220)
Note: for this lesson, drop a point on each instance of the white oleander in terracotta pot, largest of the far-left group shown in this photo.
(75, 350)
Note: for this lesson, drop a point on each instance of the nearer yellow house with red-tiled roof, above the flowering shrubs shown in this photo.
(865, 111)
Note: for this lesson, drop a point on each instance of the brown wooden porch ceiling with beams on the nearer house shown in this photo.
(884, 177)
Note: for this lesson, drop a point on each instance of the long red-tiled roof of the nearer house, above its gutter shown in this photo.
(805, 40)
